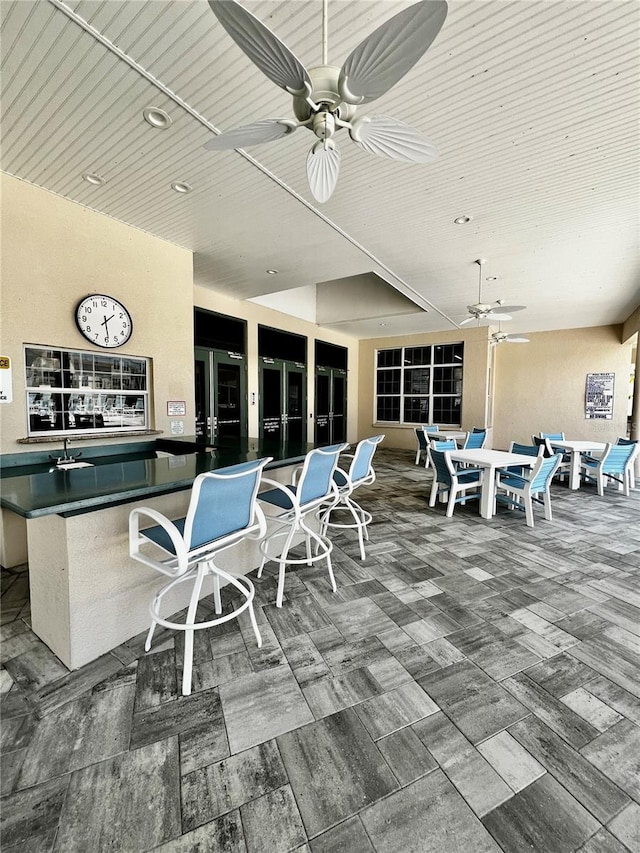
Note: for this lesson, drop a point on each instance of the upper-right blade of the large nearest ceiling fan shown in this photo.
(386, 55)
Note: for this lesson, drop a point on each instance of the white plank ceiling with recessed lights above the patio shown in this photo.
(533, 106)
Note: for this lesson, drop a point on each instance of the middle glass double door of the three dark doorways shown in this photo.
(283, 400)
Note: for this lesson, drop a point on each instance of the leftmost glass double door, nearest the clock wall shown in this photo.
(221, 395)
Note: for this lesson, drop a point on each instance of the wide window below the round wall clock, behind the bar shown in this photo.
(73, 391)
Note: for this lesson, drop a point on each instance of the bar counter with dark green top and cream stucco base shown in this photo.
(87, 595)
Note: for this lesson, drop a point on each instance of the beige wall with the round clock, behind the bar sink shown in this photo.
(55, 252)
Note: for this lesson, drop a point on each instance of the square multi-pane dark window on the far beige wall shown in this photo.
(420, 385)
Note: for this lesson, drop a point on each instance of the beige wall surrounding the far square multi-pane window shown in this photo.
(476, 410)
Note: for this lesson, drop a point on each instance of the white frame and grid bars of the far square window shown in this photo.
(400, 361)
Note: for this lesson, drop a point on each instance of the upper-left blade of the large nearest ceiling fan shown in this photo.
(263, 47)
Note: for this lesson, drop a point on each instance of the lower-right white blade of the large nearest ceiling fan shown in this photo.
(388, 137)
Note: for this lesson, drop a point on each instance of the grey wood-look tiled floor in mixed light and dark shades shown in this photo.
(472, 686)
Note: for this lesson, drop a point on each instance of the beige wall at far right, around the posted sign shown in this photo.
(540, 386)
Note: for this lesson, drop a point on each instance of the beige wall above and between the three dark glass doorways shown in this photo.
(259, 315)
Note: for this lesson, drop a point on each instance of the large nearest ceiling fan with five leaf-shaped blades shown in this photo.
(325, 98)
